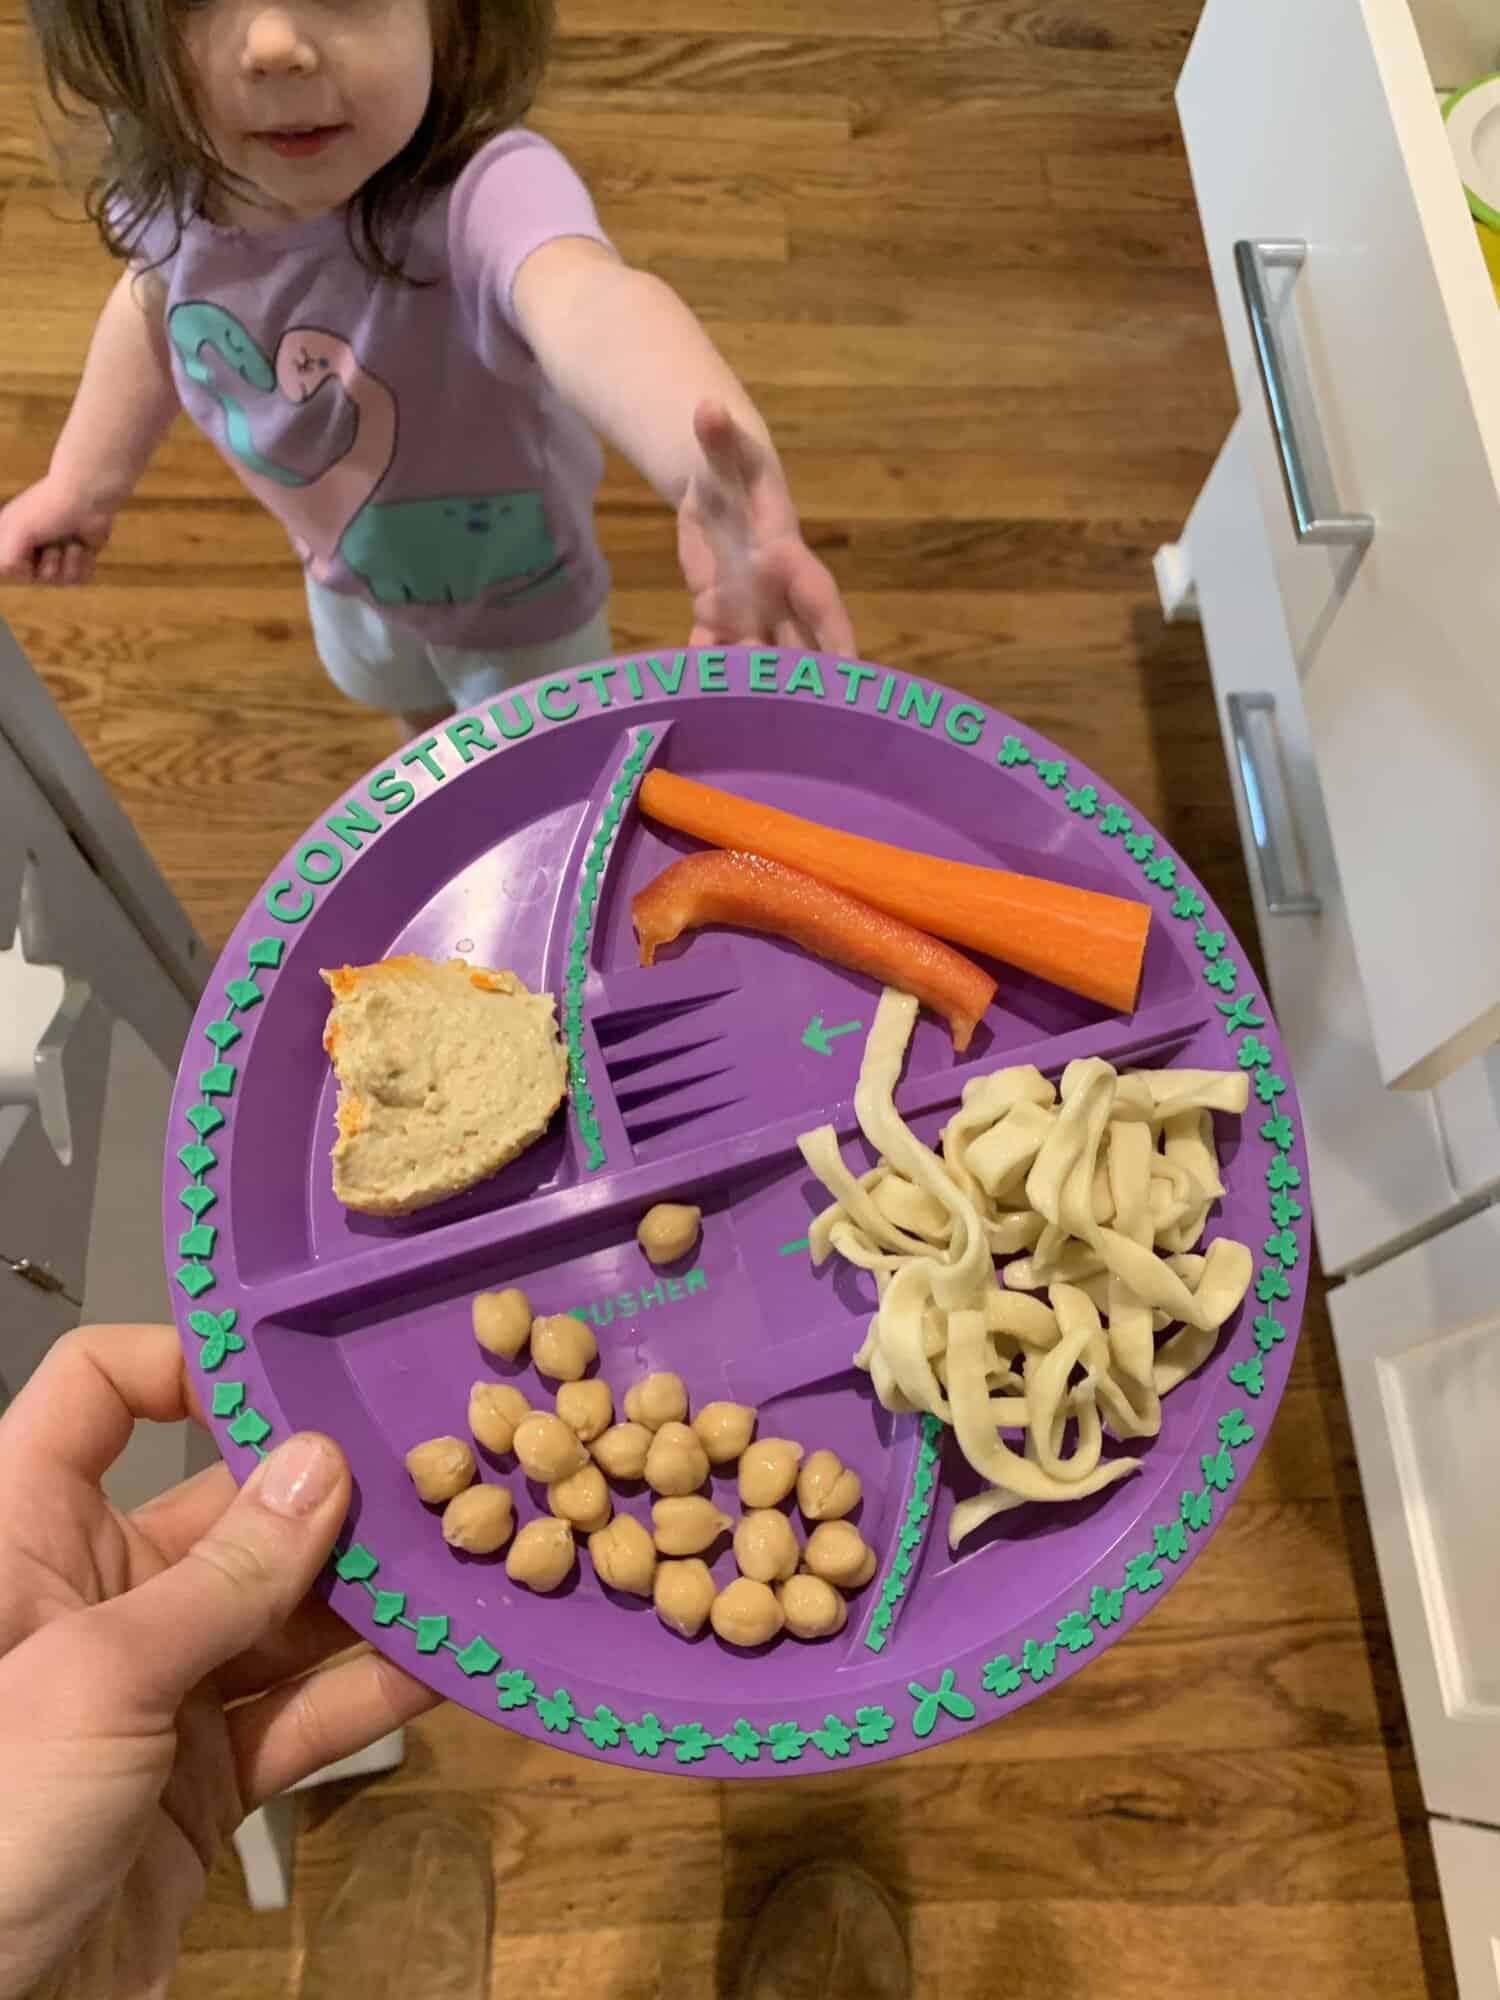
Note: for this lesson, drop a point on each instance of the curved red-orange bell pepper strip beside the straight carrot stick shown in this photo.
(759, 895)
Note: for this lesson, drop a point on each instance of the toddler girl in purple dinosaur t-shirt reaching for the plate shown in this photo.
(393, 309)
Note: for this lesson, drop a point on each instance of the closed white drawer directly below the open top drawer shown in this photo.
(1379, 1161)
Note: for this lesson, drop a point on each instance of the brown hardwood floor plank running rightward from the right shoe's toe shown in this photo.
(1175, 1829)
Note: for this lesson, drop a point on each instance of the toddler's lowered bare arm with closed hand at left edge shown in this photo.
(125, 403)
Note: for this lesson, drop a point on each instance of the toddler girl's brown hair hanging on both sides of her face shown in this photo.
(123, 59)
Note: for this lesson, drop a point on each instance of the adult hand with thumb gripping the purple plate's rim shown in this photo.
(123, 1639)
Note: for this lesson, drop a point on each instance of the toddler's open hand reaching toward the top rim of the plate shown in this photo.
(743, 557)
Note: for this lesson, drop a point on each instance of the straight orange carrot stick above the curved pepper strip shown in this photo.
(1075, 937)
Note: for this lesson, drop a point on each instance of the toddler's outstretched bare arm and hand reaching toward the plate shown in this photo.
(623, 351)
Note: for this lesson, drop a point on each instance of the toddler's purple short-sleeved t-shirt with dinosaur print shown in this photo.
(403, 435)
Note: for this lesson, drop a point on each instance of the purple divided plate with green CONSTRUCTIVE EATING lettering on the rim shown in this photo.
(511, 839)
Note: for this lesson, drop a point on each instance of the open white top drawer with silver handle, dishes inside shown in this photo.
(1321, 129)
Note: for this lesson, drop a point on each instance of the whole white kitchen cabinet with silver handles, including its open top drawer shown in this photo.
(1343, 563)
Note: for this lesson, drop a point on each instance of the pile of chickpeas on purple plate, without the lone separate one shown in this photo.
(577, 1449)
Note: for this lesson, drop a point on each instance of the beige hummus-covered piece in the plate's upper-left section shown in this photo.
(445, 1075)
